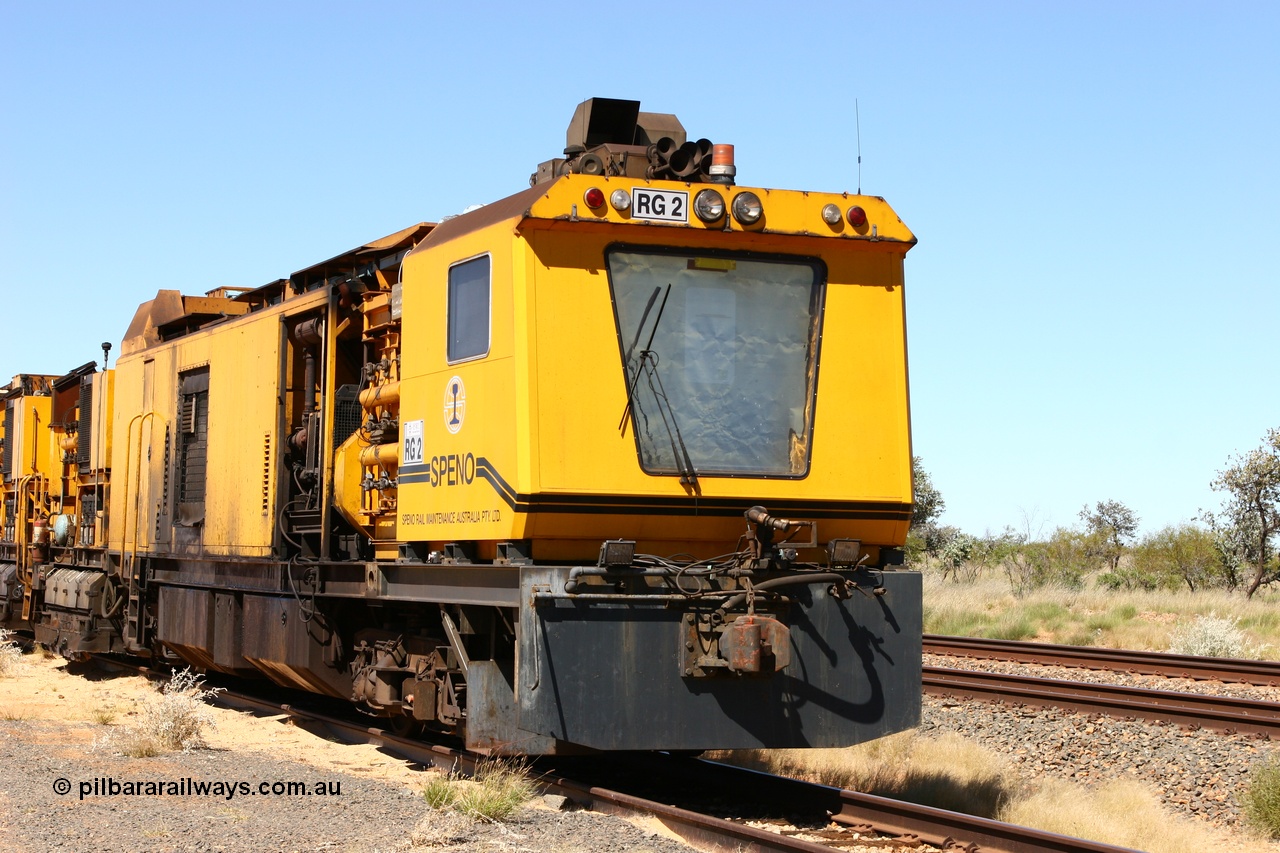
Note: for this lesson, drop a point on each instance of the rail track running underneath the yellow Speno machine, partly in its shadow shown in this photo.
(634, 782)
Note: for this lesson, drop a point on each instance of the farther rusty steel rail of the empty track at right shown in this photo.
(1188, 667)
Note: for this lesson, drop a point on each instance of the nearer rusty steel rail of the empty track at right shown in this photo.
(1224, 714)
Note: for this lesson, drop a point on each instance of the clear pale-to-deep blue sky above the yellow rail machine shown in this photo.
(1092, 307)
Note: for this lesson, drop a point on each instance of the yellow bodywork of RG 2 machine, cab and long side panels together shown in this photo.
(524, 441)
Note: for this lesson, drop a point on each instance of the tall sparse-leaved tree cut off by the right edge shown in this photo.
(1251, 517)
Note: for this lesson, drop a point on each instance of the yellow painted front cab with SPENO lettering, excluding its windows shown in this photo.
(542, 410)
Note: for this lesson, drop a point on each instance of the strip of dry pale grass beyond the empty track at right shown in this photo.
(1092, 617)
